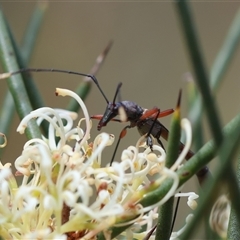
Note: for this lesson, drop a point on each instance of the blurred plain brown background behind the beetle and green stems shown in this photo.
(148, 55)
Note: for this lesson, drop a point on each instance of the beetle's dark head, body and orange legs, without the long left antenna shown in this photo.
(144, 119)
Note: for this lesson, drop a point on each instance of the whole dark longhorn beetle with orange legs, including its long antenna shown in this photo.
(143, 119)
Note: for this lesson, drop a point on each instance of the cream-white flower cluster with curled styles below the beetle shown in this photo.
(66, 193)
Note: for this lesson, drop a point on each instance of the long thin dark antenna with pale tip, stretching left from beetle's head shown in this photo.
(94, 79)
